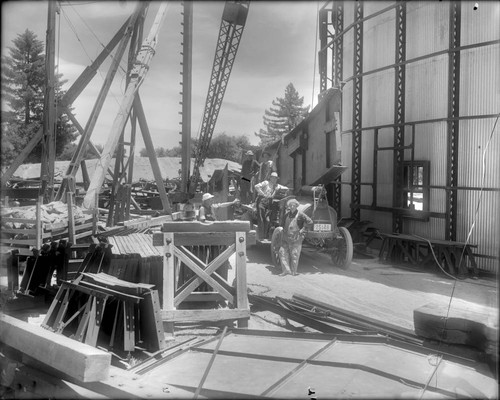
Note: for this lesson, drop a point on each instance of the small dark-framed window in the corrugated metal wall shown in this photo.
(416, 185)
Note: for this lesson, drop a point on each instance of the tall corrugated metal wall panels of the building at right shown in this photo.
(433, 74)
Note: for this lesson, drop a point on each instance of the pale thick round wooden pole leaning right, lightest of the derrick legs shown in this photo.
(138, 75)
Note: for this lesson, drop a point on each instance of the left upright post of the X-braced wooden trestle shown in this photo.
(168, 278)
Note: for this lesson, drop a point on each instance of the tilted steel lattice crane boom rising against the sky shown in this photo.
(231, 29)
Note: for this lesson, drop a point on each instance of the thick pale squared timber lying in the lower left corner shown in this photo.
(80, 361)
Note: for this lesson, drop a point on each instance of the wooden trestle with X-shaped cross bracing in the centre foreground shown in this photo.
(176, 238)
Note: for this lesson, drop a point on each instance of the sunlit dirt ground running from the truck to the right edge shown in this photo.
(386, 292)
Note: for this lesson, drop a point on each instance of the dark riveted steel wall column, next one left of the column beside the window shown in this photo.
(357, 112)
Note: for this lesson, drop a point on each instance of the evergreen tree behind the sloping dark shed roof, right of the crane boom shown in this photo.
(286, 114)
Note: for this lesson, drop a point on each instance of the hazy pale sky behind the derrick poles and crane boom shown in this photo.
(278, 46)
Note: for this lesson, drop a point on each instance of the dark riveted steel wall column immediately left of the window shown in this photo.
(399, 115)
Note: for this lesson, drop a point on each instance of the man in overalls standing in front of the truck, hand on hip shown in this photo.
(295, 225)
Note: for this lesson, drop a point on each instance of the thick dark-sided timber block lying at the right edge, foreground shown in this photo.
(469, 324)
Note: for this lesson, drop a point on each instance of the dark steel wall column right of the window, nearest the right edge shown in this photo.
(453, 123)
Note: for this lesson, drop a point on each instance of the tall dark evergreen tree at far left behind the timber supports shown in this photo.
(23, 90)
